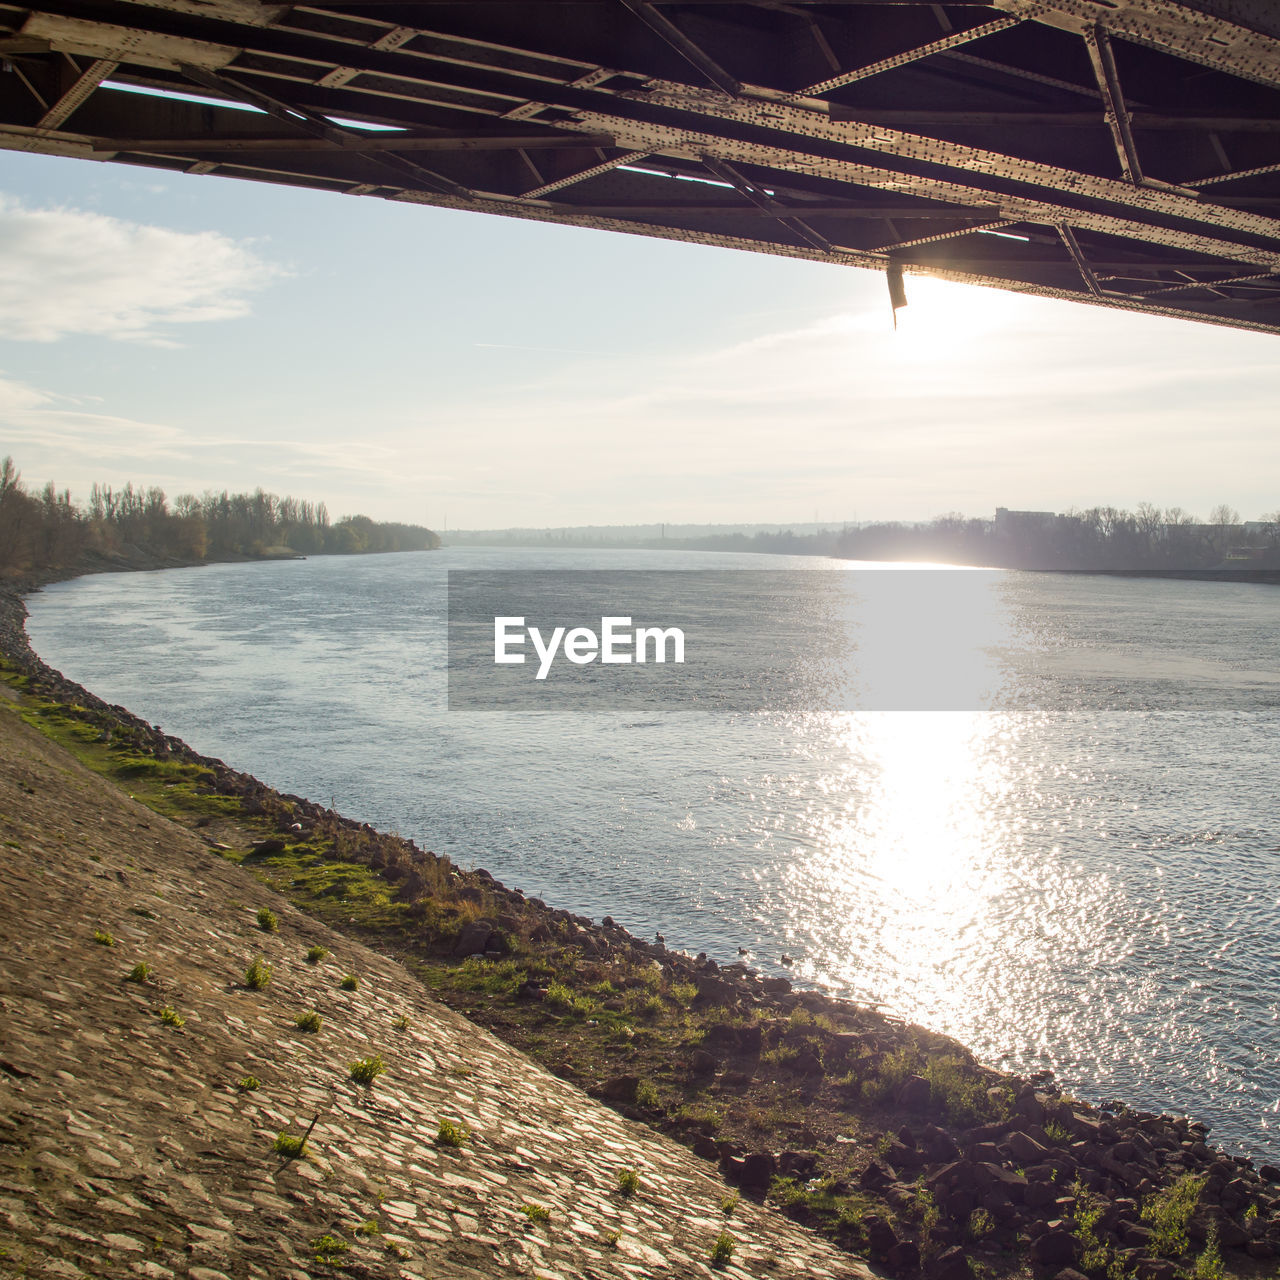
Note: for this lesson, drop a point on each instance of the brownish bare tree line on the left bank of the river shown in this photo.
(47, 531)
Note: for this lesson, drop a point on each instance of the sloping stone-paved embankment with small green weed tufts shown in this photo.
(130, 1149)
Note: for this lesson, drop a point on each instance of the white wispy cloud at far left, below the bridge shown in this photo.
(70, 272)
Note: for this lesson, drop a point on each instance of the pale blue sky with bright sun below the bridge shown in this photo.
(469, 372)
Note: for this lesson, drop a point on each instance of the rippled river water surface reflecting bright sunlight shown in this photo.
(1078, 870)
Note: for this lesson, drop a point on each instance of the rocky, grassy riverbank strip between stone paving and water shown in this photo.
(886, 1137)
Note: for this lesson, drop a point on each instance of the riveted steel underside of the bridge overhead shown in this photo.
(1119, 153)
